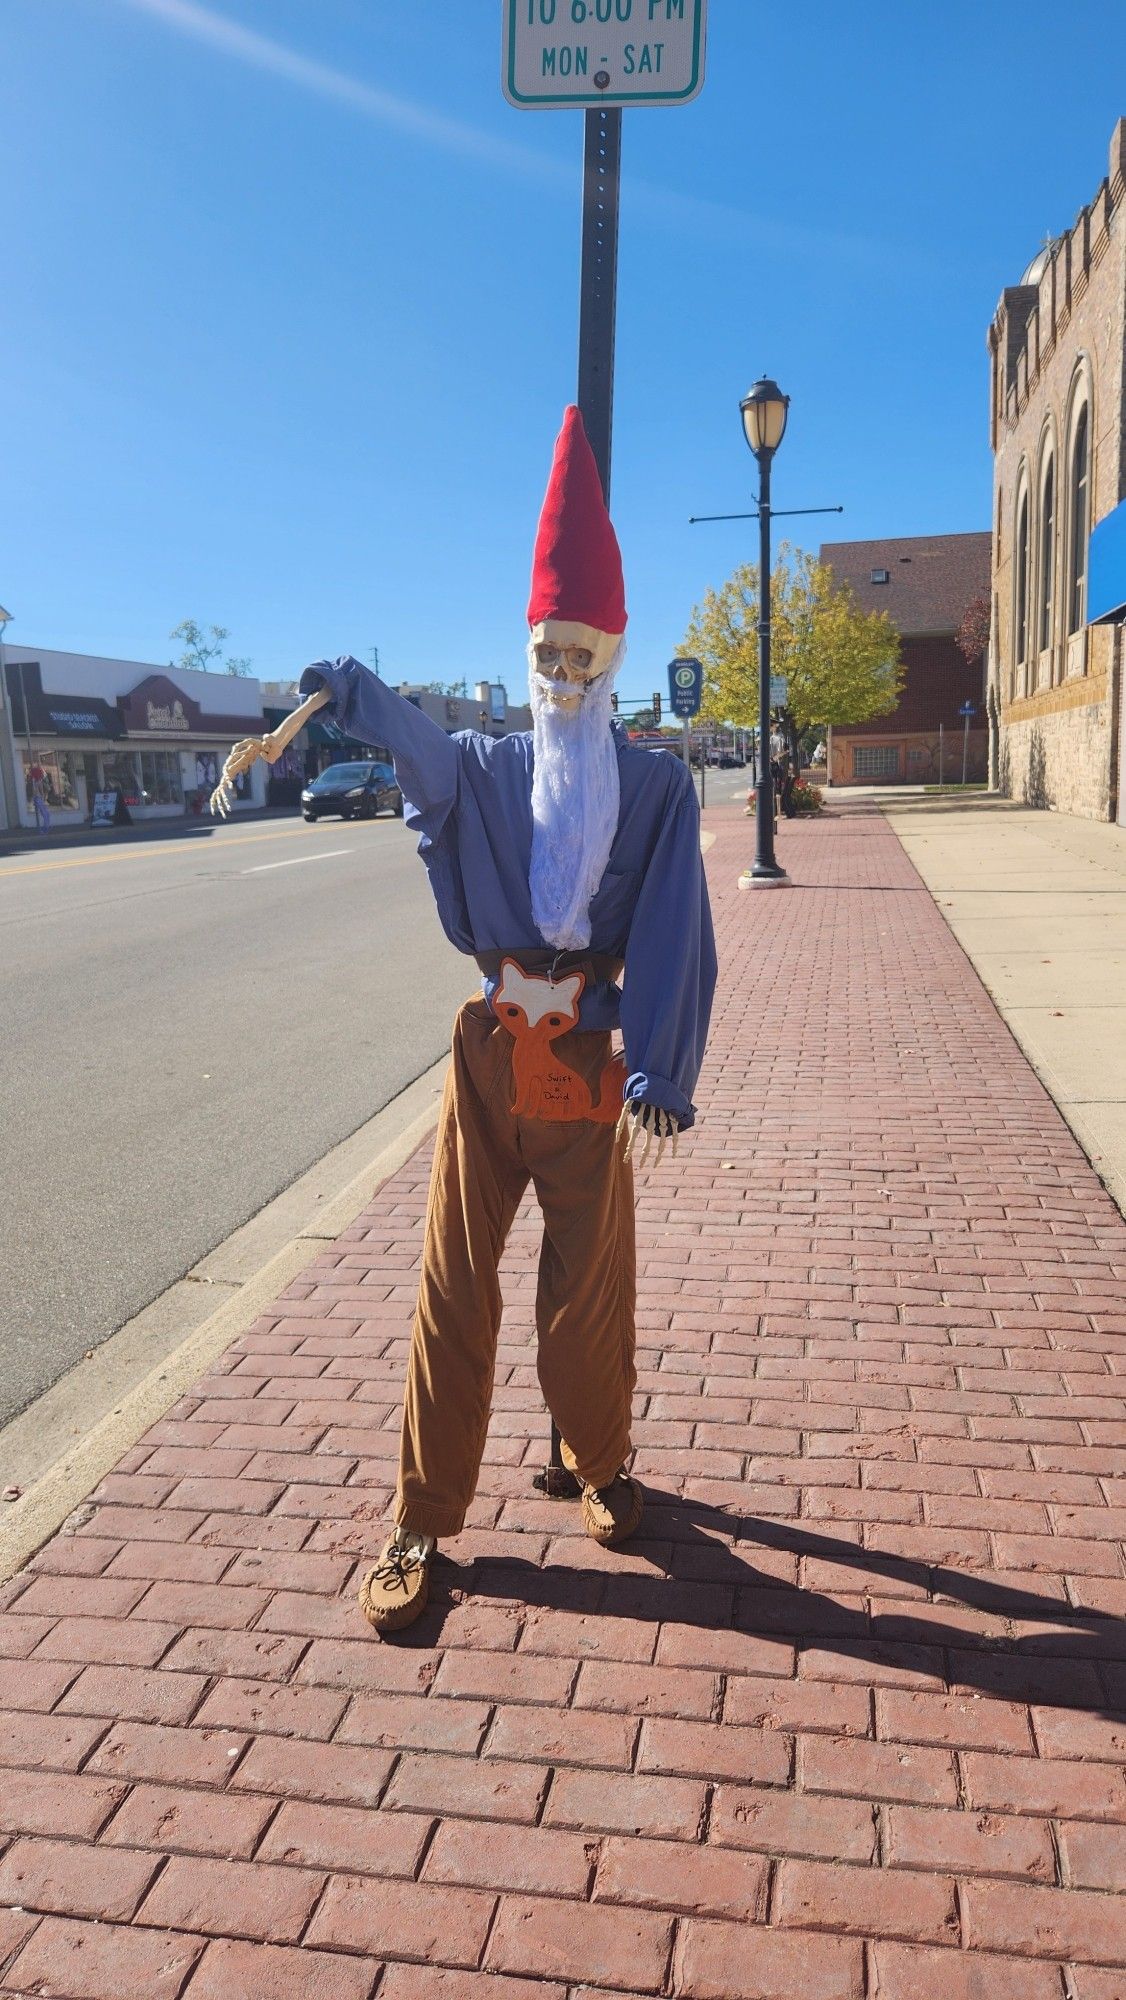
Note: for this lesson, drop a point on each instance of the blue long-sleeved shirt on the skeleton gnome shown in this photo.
(471, 801)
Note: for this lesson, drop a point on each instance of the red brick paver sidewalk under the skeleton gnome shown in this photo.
(849, 1721)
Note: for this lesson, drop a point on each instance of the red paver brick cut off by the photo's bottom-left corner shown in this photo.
(103, 1963)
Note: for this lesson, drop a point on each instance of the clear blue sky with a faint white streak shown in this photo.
(291, 307)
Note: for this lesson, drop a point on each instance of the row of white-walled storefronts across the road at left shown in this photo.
(157, 737)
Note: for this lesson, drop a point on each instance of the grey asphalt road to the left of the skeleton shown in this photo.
(189, 1025)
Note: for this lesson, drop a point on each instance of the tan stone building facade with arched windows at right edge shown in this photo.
(1059, 437)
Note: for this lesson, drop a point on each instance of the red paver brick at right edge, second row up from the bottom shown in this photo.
(1045, 1923)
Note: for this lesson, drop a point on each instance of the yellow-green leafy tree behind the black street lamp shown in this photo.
(841, 663)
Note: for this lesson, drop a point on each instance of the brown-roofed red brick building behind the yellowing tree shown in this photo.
(925, 583)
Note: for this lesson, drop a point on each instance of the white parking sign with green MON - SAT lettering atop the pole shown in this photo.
(565, 53)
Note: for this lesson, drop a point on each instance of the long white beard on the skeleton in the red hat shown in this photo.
(575, 805)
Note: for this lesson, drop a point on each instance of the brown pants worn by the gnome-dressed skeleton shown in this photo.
(585, 1307)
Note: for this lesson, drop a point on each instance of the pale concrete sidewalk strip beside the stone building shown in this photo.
(1039, 905)
